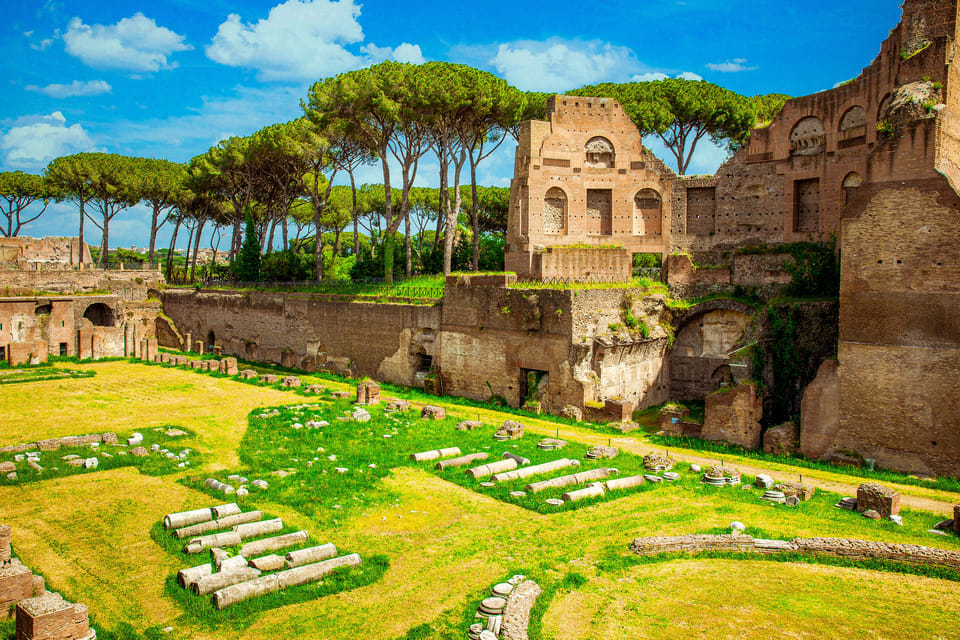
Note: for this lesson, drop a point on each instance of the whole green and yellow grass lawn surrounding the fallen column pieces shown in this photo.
(447, 540)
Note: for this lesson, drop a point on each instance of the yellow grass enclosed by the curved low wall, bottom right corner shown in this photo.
(754, 601)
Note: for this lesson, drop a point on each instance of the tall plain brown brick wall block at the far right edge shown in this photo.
(899, 347)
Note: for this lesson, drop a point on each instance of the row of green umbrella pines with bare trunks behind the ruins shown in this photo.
(281, 178)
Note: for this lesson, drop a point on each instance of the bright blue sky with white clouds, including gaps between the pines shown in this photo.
(170, 78)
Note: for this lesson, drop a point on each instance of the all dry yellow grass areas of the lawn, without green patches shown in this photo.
(447, 545)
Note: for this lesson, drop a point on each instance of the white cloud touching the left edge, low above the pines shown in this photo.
(33, 141)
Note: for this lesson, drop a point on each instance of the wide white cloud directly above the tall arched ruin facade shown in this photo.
(555, 65)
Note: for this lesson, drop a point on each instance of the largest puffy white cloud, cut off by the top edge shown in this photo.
(301, 40)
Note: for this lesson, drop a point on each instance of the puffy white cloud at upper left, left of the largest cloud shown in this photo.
(135, 44)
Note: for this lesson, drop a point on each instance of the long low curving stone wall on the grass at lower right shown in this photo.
(833, 547)
